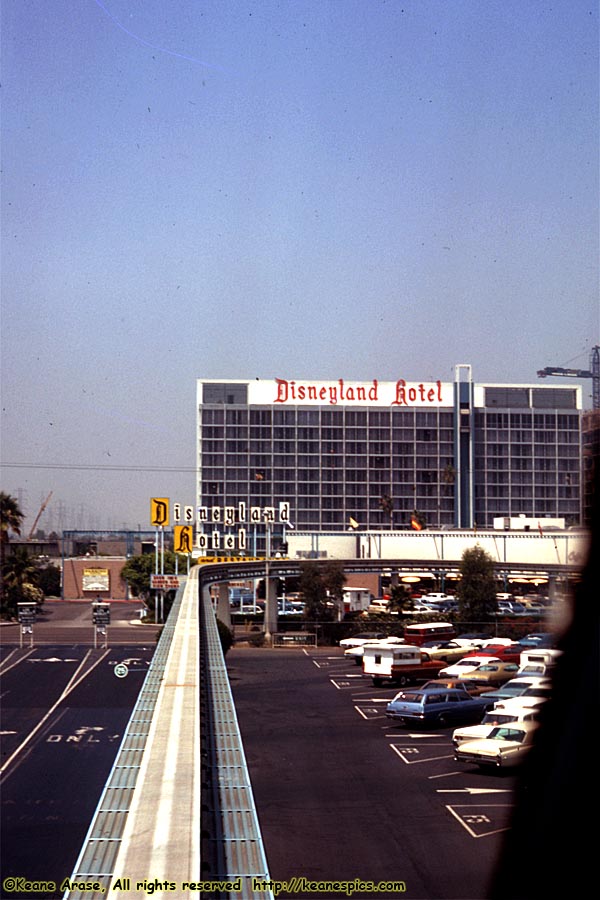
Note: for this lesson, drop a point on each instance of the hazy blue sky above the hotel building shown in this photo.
(278, 189)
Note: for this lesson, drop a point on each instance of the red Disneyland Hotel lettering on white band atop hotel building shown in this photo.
(332, 393)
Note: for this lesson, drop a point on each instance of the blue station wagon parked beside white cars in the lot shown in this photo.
(436, 707)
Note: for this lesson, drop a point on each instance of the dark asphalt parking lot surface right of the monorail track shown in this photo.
(343, 793)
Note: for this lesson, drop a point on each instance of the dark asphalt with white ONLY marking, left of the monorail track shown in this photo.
(63, 716)
